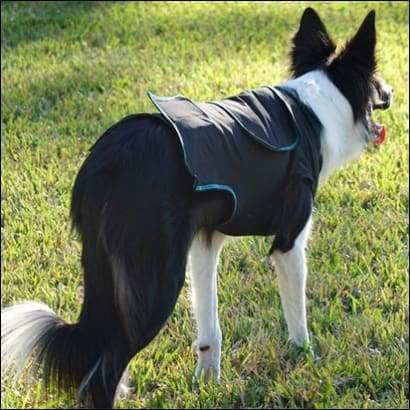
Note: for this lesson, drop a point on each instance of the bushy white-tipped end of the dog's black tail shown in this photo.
(65, 354)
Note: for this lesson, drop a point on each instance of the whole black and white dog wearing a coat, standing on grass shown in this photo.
(147, 196)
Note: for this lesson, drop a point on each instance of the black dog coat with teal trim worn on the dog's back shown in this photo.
(262, 147)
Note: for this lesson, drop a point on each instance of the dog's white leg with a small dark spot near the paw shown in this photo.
(203, 261)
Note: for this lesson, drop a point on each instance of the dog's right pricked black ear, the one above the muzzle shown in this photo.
(360, 51)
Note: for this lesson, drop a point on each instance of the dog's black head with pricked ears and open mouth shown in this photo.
(352, 70)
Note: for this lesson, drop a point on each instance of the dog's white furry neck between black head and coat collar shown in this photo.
(342, 139)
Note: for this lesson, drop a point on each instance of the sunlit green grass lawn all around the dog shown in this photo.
(72, 69)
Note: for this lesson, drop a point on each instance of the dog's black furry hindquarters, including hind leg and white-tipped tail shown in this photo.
(133, 223)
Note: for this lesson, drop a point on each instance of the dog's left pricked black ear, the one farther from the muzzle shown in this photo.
(312, 44)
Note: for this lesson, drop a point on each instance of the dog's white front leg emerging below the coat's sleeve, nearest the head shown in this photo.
(292, 271)
